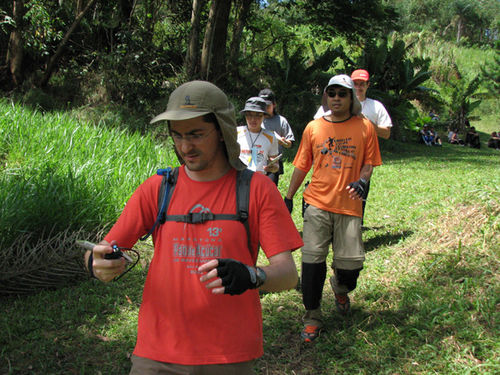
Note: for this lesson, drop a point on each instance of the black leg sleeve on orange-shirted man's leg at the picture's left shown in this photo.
(313, 279)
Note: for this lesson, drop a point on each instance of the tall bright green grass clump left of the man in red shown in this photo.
(59, 176)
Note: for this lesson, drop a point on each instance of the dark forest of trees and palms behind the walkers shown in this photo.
(123, 58)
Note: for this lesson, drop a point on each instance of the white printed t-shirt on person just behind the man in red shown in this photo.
(256, 148)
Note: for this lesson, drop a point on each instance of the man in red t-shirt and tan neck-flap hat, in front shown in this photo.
(201, 304)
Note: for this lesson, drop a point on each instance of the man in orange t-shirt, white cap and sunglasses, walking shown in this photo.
(343, 148)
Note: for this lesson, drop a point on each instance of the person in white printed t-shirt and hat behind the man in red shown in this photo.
(259, 147)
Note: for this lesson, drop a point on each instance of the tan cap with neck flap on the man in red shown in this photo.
(198, 98)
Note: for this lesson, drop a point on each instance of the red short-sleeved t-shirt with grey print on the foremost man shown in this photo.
(180, 320)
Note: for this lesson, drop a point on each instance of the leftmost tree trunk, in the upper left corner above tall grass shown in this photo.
(15, 49)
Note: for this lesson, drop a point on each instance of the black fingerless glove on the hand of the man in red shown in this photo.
(235, 276)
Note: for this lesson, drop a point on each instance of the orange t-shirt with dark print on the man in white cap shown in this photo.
(338, 151)
